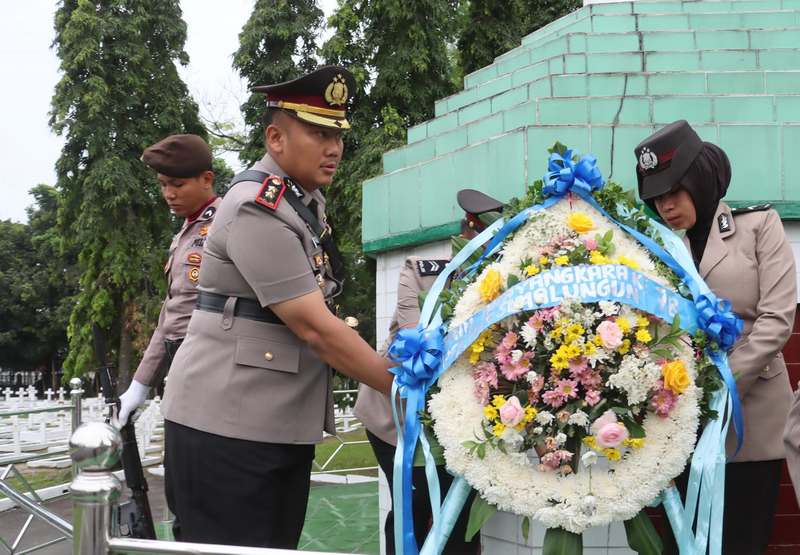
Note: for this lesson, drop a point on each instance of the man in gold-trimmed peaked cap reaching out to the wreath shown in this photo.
(250, 390)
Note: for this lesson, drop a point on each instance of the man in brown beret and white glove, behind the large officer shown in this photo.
(183, 163)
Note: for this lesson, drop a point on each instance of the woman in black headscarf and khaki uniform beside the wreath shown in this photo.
(743, 256)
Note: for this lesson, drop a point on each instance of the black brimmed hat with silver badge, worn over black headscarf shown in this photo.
(663, 158)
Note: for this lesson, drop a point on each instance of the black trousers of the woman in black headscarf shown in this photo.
(751, 497)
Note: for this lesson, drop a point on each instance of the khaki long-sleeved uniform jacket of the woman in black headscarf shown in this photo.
(748, 261)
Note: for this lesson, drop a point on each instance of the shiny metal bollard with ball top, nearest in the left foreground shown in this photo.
(95, 448)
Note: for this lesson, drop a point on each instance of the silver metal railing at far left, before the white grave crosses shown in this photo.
(29, 501)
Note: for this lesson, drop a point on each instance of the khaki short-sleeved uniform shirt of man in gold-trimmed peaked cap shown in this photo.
(242, 378)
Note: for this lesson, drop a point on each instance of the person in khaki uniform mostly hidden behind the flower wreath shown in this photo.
(374, 408)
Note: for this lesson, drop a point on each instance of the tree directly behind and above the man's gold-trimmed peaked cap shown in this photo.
(276, 44)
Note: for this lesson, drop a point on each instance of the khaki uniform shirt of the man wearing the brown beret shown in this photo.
(182, 271)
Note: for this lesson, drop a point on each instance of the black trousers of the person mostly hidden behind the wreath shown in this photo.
(421, 504)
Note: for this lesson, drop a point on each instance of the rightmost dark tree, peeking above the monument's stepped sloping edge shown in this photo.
(492, 27)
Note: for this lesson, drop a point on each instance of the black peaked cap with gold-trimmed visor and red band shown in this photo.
(319, 97)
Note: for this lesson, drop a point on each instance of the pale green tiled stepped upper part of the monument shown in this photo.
(600, 80)
